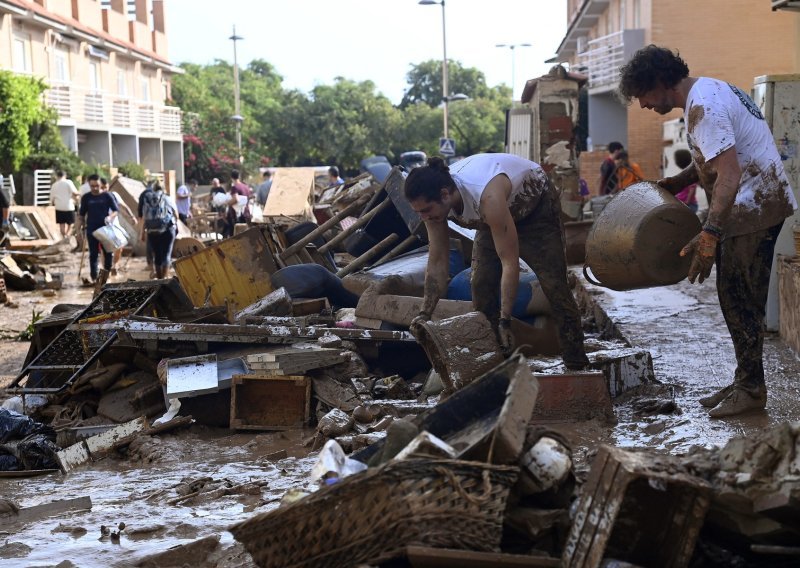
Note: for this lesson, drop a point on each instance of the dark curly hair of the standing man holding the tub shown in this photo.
(649, 68)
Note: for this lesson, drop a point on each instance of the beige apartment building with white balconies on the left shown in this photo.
(106, 66)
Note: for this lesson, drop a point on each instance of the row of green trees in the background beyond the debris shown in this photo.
(337, 124)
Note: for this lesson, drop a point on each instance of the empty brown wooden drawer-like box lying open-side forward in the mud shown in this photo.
(269, 402)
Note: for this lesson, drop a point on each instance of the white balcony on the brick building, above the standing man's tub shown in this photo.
(603, 57)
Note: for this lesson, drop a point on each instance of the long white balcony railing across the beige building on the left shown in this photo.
(87, 107)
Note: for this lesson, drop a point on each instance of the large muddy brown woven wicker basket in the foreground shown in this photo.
(372, 516)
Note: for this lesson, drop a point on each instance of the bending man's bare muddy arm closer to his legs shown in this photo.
(496, 214)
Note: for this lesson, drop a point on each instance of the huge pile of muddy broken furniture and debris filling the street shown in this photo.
(430, 444)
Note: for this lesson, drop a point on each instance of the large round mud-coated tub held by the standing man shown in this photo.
(636, 241)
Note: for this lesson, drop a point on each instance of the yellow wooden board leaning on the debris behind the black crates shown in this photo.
(236, 270)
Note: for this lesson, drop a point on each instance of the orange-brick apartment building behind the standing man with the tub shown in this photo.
(732, 40)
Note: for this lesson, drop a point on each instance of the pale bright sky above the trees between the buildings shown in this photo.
(311, 42)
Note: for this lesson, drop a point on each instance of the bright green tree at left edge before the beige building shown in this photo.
(21, 108)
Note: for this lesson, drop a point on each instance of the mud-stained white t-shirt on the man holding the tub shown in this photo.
(719, 116)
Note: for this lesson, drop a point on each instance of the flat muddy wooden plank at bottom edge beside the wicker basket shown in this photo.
(427, 557)
